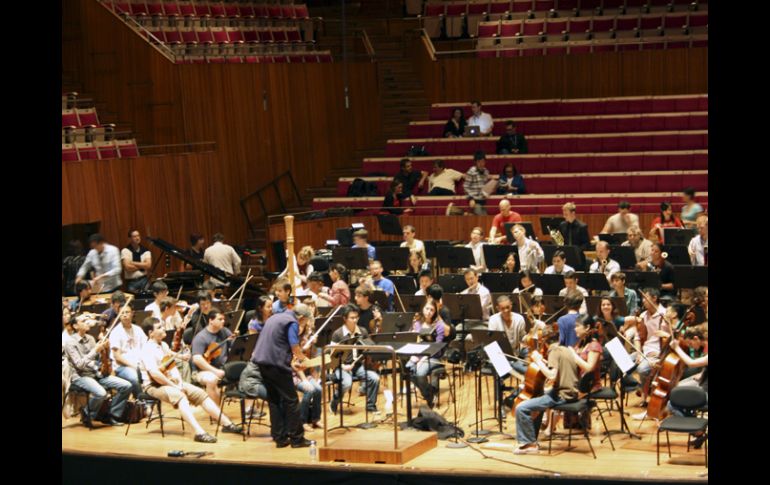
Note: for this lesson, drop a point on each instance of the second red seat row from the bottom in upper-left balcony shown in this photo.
(224, 35)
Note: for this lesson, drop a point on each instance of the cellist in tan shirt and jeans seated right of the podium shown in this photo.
(563, 370)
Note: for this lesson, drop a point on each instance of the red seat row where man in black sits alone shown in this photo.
(604, 142)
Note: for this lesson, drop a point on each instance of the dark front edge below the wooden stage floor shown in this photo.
(118, 469)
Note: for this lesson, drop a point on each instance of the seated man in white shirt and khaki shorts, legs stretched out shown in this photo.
(167, 385)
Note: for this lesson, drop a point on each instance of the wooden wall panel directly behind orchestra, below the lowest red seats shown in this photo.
(316, 232)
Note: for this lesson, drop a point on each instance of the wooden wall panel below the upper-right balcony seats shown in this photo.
(628, 73)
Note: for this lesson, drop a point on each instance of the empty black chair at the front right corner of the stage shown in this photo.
(691, 400)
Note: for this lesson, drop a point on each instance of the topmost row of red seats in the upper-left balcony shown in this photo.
(208, 9)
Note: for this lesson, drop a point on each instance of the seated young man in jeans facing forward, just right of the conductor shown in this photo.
(354, 362)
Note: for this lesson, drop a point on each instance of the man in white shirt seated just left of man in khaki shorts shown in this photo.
(126, 341)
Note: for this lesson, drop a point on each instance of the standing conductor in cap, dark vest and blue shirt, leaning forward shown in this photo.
(277, 345)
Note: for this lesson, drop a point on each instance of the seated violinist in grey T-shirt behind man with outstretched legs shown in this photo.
(205, 372)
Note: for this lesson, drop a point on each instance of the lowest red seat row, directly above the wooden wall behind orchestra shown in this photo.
(597, 203)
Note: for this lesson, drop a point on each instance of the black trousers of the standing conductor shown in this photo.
(285, 420)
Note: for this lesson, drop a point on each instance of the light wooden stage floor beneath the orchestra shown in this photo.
(632, 459)
